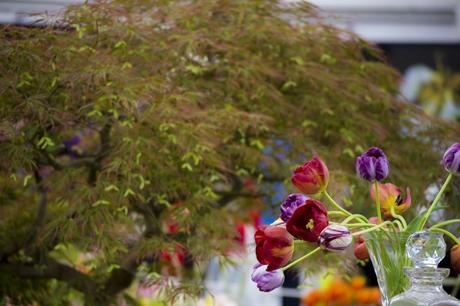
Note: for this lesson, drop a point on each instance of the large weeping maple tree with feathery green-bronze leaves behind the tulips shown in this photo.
(131, 129)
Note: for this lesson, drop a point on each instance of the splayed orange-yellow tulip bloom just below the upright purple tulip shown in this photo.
(390, 196)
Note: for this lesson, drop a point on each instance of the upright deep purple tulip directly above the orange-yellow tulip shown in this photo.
(373, 165)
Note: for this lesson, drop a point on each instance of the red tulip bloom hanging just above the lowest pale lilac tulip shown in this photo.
(274, 246)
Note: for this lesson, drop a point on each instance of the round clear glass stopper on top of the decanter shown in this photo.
(426, 249)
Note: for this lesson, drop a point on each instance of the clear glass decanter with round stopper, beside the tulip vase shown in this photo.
(426, 250)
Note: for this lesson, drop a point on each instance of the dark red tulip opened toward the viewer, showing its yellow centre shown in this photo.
(308, 220)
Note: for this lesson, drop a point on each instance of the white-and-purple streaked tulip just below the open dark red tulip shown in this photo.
(335, 237)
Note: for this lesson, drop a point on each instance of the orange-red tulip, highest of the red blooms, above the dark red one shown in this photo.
(312, 177)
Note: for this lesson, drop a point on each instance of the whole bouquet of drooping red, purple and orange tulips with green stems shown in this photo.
(303, 217)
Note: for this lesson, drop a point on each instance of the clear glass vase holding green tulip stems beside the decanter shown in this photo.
(387, 251)
